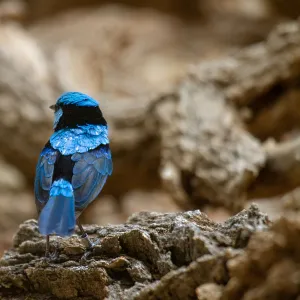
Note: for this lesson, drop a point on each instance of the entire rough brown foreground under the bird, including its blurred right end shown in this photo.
(161, 256)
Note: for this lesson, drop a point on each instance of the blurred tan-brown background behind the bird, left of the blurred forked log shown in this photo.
(125, 54)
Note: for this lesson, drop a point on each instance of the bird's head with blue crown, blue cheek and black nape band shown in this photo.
(73, 109)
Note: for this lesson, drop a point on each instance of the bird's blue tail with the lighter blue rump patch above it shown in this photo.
(58, 215)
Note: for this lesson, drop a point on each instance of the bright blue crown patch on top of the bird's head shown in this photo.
(76, 98)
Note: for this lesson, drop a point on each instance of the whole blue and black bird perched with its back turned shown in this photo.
(73, 166)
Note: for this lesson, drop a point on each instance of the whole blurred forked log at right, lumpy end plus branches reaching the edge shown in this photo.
(207, 155)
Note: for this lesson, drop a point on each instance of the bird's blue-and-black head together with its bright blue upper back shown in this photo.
(79, 128)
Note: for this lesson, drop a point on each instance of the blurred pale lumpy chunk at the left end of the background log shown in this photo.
(207, 155)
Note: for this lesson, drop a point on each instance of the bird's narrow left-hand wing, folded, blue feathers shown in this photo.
(44, 174)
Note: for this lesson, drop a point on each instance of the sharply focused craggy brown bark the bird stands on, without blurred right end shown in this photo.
(152, 256)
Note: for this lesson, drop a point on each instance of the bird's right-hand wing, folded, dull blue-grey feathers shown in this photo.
(89, 174)
